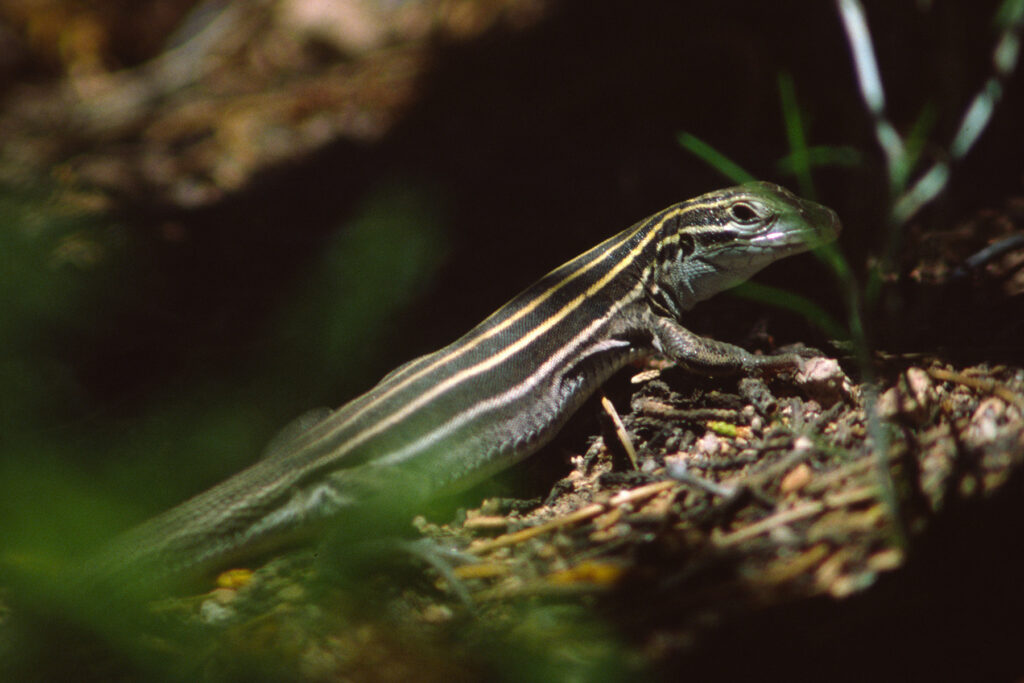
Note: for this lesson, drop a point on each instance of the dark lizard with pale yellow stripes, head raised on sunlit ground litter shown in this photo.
(502, 391)
